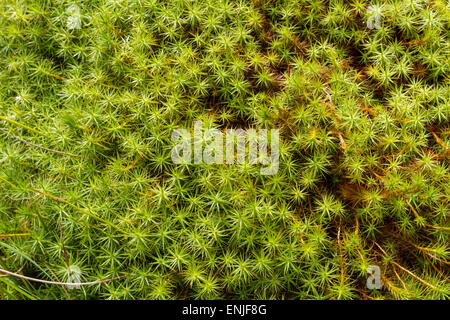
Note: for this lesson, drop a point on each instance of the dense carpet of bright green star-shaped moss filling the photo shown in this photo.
(91, 91)
